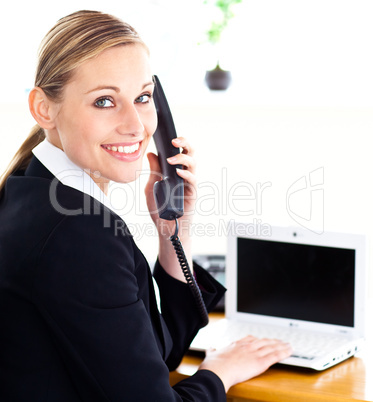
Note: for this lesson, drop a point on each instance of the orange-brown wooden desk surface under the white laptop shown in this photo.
(351, 380)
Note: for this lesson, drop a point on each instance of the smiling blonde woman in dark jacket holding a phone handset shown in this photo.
(79, 314)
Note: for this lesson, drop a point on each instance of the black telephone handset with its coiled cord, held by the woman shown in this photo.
(169, 192)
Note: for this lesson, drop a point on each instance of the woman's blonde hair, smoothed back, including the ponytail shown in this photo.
(75, 39)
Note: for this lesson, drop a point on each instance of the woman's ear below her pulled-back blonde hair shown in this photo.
(42, 108)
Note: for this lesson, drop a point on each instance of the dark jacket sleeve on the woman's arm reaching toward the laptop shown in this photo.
(87, 292)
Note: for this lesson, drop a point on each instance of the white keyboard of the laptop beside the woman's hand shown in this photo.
(305, 344)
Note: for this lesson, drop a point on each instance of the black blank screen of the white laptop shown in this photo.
(296, 281)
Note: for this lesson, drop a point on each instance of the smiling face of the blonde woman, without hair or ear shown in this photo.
(107, 115)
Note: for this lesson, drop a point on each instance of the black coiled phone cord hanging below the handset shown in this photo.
(188, 275)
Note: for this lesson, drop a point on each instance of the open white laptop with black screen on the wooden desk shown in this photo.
(305, 288)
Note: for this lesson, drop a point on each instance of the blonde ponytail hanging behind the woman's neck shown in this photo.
(23, 156)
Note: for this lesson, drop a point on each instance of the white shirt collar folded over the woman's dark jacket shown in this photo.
(68, 173)
